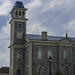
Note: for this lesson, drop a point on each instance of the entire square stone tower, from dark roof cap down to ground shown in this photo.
(17, 33)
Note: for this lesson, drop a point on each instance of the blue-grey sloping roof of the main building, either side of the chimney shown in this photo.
(49, 38)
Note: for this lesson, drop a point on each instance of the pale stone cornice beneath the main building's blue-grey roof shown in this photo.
(40, 42)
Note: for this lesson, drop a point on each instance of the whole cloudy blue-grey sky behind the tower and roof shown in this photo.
(57, 17)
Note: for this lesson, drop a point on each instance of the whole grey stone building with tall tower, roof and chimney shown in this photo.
(29, 53)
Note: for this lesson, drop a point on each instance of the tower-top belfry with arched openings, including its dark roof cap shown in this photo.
(18, 10)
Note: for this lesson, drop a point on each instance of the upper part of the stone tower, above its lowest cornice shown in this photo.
(18, 23)
